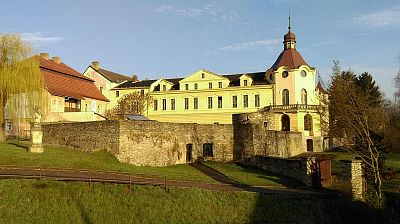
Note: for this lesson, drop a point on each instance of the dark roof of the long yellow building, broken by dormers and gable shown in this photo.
(258, 79)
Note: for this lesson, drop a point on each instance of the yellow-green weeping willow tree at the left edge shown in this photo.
(21, 82)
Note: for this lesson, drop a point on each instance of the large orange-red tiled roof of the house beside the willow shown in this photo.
(62, 80)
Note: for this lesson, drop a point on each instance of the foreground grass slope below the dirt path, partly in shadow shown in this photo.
(45, 201)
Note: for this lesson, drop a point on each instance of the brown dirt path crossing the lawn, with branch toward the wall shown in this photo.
(90, 176)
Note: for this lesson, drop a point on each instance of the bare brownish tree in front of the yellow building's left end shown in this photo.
(133, 103)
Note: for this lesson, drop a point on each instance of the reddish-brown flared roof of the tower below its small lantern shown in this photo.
(290, 58)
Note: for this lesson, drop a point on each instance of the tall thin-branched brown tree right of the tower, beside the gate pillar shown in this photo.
(357, 123)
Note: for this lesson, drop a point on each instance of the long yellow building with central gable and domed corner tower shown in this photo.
(286, 90)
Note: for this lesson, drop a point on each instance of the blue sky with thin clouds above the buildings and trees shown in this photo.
(171, 39)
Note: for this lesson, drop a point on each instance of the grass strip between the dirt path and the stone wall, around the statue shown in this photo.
(13, 153)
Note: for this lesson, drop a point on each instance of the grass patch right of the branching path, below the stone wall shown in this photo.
(251, 176)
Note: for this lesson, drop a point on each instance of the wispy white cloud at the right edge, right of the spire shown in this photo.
(380, 18)
